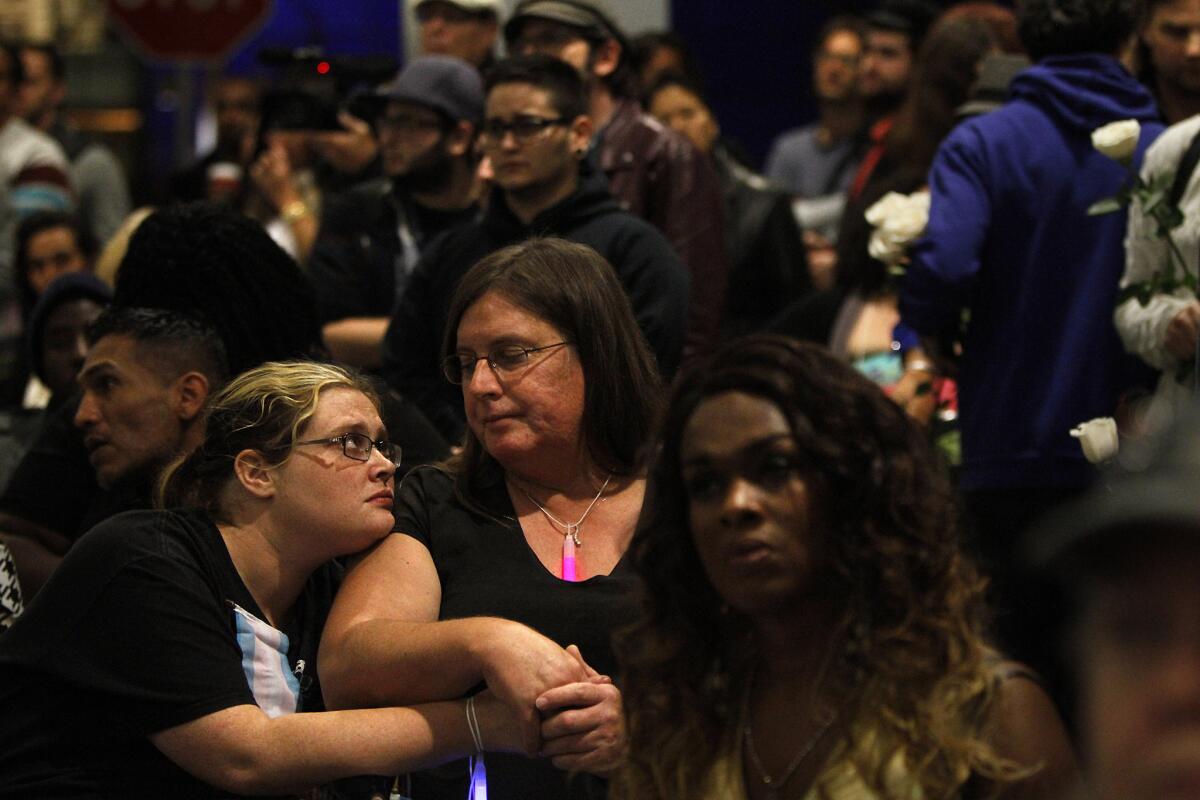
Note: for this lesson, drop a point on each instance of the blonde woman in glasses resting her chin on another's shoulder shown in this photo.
(173, 654)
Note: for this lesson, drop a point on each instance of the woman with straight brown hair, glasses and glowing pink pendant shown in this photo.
(514, 551)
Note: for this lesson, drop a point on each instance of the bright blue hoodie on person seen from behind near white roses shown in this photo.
(1011, 242)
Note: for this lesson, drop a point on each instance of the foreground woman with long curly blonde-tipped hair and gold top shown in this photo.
(811, 629)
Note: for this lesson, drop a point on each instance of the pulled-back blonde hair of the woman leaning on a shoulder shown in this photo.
(263, 410)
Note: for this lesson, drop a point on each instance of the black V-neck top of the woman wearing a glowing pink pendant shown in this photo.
(488, 569)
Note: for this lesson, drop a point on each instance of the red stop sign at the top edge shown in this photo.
(188, 31)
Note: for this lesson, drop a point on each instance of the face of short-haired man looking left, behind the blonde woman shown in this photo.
(129, 414)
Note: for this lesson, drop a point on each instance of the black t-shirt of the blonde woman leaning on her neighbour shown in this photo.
(136, 633)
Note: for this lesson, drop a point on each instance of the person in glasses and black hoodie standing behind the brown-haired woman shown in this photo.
(536, 134)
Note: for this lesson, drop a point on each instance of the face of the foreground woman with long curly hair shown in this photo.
(751, 507)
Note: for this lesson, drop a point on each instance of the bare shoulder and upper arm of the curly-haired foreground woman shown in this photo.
(1028, 730)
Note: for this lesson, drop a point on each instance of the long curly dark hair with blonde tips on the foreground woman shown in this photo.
(911, 652)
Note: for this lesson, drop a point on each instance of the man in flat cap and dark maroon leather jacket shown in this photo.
(656, 173)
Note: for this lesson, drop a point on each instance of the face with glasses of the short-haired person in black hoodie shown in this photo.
(537, 157)
